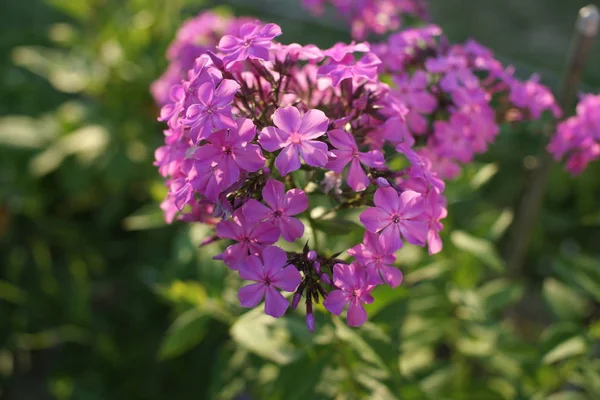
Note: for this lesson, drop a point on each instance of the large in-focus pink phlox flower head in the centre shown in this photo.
(254, 118)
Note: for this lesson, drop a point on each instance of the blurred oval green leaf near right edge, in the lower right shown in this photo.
(565, 302)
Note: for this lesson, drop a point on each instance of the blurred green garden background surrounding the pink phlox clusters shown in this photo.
(99, 299)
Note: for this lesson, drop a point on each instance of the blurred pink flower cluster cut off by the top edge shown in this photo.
(372, 16)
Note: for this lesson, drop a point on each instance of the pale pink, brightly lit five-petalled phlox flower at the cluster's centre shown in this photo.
(294, 133)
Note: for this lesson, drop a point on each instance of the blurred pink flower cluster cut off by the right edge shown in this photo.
(578, 138)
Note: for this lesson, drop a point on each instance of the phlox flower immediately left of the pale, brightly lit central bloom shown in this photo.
(229, 151)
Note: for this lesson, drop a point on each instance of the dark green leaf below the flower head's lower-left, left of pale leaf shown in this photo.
(186, 332)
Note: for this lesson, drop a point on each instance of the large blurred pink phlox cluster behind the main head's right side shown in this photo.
(456, 95)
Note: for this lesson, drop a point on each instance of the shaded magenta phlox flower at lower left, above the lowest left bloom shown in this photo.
(251, 238)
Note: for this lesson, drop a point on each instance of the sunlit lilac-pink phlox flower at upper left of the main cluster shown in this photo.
(212, 110)
